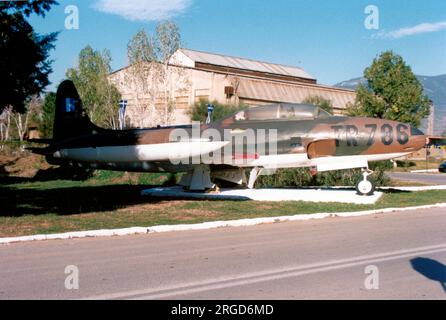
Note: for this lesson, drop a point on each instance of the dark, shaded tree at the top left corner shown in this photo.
(24, 54)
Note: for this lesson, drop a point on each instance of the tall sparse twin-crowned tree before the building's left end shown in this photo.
(151, 77)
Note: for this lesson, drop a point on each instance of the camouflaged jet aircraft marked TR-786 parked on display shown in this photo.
(255, 141)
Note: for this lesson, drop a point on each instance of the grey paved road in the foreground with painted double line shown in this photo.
(303, 260)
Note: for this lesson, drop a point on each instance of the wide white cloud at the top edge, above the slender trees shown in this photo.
(143, 10)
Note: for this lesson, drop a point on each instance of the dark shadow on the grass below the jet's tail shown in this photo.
(17, 201)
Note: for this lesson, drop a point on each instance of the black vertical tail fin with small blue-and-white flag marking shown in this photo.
(70, 119)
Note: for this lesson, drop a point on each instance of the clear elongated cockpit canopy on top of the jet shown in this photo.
(282, 111)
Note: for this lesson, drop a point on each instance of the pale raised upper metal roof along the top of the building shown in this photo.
(246, 64)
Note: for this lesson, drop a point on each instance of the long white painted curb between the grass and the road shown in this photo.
(208, 225)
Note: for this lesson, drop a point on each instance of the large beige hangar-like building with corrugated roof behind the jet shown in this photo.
(196, 75)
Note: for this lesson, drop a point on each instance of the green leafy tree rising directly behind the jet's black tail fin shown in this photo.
(99, 96)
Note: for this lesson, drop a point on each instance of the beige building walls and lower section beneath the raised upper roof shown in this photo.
(211, 86)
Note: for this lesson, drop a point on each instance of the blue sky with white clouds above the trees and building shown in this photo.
(325, 37)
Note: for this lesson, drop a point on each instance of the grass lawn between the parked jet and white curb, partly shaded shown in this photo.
(106, 202)
